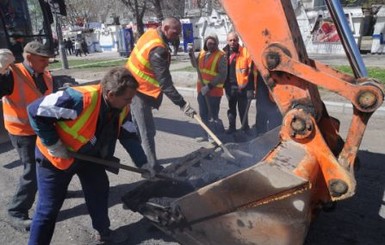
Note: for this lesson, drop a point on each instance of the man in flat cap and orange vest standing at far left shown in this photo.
(19, 86)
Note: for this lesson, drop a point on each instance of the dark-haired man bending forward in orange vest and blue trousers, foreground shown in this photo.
(87, 120)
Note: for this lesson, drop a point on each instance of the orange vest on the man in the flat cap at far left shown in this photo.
(24, 92)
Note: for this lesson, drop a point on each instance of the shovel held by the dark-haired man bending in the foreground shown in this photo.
(115, 166)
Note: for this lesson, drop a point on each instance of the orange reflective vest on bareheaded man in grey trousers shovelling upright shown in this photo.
(139, 62)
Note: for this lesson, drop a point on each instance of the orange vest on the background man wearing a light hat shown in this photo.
(209, 70)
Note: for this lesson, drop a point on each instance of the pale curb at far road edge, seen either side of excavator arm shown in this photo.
(338, 107)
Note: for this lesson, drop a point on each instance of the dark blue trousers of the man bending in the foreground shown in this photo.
(53, 184)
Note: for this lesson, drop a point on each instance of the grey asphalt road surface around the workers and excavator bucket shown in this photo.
(358, 220)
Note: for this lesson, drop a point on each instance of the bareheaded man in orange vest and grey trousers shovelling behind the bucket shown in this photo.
(149, 63)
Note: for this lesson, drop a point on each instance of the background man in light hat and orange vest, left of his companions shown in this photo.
(212, 69)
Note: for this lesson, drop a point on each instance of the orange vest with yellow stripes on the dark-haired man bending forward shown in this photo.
(78, 132)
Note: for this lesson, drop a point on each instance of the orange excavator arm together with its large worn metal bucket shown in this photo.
(270, 194)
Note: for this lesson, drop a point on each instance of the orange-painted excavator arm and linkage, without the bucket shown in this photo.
(271, 34)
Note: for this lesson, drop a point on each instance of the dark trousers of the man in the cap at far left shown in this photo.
(24, 197)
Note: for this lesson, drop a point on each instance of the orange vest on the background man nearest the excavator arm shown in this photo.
(242, 67)
